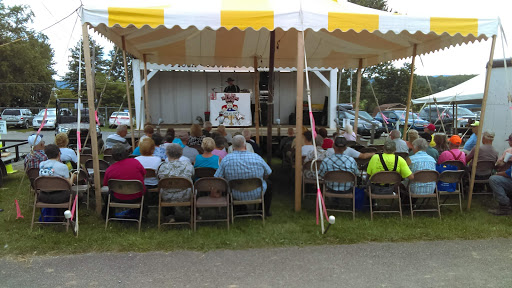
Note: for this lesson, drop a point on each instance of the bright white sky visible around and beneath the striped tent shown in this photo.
(465, 59)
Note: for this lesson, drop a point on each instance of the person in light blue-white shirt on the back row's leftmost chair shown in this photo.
(53, 167)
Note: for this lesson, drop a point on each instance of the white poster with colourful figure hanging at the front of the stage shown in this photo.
(231, 109)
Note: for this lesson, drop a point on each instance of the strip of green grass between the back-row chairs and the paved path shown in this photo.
(284, 228)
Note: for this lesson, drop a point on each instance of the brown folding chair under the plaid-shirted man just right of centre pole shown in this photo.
(341, 177)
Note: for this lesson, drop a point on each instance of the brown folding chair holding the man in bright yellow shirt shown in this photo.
(385, 178)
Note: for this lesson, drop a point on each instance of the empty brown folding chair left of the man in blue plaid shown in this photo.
(206, 185)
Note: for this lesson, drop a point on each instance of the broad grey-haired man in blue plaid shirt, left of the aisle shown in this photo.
(242, 164)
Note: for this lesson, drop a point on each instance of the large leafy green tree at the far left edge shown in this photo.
(25, 60)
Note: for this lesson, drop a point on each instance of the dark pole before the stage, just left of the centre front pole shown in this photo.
(270, 102)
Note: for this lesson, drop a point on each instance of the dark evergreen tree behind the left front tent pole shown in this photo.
(99, 64)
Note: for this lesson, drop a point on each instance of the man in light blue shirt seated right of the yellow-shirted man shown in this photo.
(420, 160)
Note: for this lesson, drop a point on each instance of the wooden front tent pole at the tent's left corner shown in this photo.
(89, 78)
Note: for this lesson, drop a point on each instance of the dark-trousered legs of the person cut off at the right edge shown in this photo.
(501, 185)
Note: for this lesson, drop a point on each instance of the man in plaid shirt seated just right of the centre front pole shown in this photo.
(339, 162)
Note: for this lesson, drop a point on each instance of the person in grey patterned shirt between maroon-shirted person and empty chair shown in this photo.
(175, 167)
